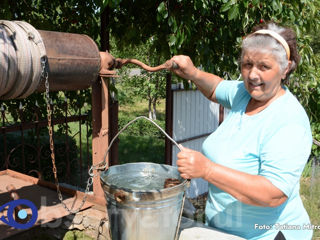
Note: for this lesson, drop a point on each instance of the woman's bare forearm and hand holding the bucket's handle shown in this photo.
(250, 189)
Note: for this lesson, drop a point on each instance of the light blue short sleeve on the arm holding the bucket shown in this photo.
(284, 156)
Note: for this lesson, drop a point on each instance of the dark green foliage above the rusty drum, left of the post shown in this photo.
(65, 16)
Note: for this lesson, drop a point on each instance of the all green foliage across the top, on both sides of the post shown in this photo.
(210, 32)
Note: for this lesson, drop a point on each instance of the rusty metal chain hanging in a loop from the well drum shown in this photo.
(45, 76)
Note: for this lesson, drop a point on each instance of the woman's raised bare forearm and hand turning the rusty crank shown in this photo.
(205, 82)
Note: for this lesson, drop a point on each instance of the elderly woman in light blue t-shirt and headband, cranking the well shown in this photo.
(254, 160)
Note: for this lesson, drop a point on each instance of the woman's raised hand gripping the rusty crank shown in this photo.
(185, 69)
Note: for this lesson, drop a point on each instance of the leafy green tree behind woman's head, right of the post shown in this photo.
(210, 32)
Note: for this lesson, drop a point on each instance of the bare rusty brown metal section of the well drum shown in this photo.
(73, 60)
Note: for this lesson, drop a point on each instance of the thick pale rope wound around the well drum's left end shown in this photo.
(22, 49)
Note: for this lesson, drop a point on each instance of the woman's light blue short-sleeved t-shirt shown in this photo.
(274, 143)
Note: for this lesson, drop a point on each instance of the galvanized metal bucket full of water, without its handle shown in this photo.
(139, 207)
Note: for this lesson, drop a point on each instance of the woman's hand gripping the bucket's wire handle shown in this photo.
(193, 164)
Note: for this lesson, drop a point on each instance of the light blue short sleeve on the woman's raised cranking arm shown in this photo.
(226, 92)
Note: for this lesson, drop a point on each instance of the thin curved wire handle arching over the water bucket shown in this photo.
(105, 163)
